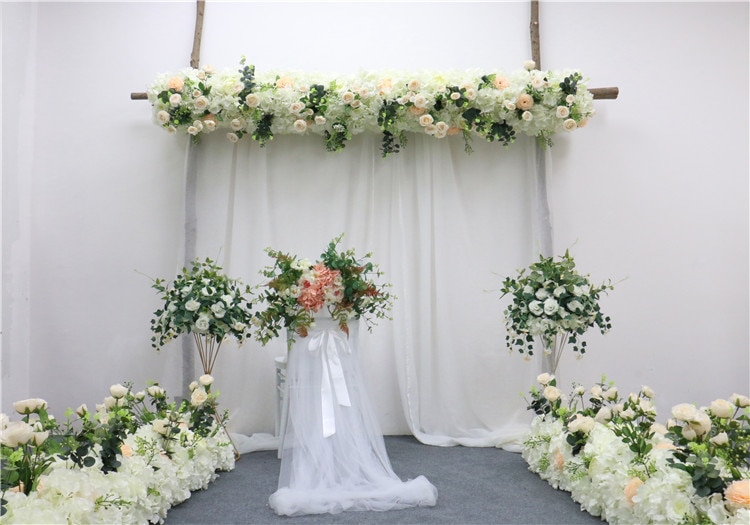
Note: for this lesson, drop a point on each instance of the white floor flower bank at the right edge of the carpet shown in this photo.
(622, 466)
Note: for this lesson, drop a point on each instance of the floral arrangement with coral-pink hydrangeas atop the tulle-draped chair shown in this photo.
(338, 284)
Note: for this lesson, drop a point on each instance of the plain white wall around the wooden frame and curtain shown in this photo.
(654, 190)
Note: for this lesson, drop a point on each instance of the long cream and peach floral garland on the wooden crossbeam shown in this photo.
(491, 104)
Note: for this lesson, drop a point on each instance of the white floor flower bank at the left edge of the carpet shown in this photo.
(129, 461)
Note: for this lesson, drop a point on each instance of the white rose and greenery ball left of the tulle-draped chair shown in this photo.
(204, 302)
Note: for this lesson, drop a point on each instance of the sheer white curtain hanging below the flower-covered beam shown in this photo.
(444, 226)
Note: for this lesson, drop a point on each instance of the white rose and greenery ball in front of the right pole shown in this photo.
(555, 304)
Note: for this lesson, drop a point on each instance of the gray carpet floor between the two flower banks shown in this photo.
(476, 486)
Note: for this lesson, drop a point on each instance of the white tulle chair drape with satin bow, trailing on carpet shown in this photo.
(333, 456)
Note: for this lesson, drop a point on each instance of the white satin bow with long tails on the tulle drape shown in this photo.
(328, 343)
